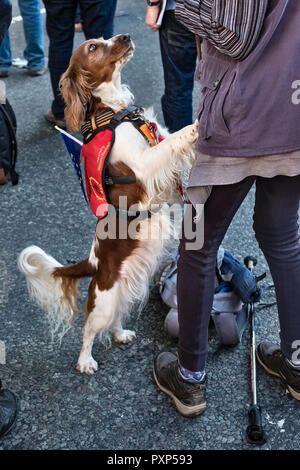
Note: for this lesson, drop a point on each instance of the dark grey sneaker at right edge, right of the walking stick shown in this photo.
(271, 358)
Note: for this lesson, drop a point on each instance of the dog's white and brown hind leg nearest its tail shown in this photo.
(102, 311)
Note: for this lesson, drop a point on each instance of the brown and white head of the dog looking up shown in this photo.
(93, 77)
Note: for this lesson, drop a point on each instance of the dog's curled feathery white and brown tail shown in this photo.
(54, 287)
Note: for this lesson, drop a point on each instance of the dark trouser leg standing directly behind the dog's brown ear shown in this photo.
(60, 18)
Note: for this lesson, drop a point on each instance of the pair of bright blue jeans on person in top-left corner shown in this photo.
(34, 37)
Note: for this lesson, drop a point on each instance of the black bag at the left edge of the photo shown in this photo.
(8, 144)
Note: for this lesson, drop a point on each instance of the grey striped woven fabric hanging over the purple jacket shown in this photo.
(232, 26)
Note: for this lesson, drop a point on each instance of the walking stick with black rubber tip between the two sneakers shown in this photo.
(255, 433)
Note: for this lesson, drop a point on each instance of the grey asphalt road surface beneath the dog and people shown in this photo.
(119, 407)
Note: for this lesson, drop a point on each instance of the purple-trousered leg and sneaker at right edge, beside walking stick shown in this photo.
(277, 232)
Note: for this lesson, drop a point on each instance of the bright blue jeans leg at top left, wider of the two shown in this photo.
(33, 31)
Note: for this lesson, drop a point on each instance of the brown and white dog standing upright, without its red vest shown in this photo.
(120, 268)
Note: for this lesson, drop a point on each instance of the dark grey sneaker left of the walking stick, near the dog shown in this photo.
(188, 398)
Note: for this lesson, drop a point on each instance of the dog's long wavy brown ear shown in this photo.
(76, 93)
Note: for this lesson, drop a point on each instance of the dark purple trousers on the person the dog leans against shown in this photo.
(276, 228)
